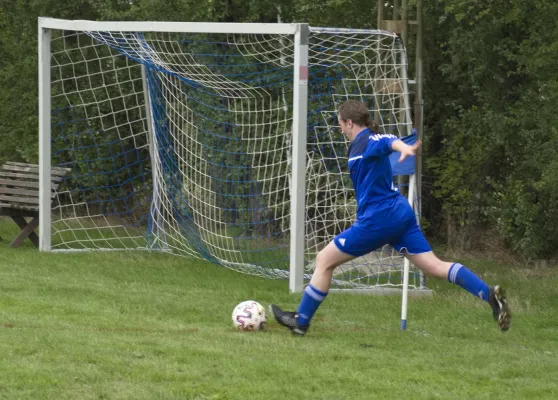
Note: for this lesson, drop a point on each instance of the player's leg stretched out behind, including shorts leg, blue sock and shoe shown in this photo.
(416, 248)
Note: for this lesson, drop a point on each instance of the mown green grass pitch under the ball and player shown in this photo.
(149, 326)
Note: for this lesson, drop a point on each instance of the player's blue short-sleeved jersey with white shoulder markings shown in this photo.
(378, 201)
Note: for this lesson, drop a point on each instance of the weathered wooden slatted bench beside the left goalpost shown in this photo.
(19, 196)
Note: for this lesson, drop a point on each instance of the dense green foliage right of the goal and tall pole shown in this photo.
(491, 124)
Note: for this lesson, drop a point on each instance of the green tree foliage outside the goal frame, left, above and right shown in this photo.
(490, 92)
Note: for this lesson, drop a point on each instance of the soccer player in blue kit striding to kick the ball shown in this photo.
(384, 216)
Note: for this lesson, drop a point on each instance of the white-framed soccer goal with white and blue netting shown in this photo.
(214, 140)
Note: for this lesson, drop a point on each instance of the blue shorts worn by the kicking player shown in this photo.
(363, 238)
